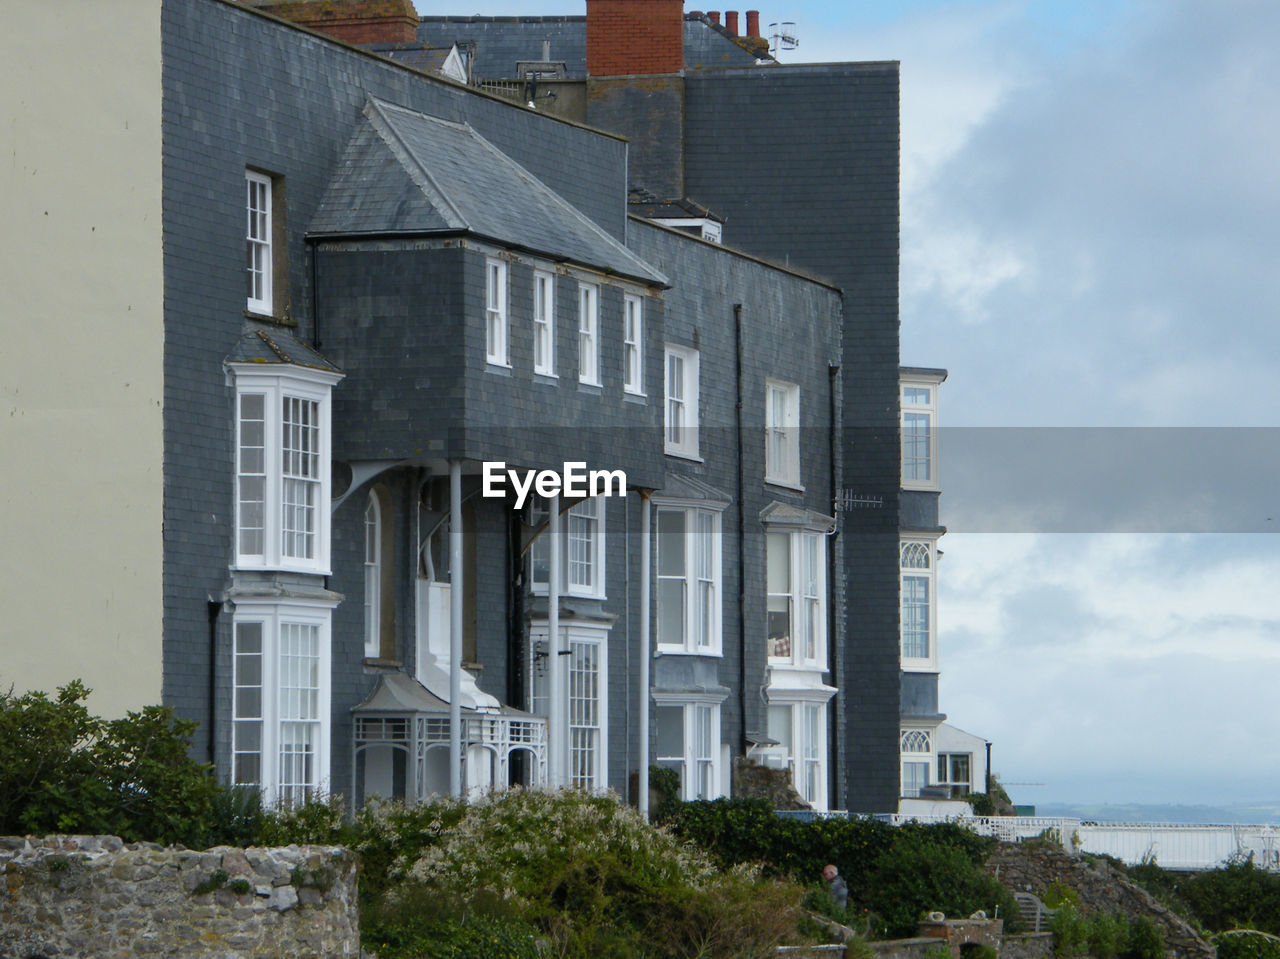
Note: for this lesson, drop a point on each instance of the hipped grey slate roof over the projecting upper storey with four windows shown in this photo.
(408, 173)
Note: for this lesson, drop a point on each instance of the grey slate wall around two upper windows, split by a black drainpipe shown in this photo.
(790, 332)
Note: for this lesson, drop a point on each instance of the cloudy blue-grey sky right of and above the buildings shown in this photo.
(1091, 216)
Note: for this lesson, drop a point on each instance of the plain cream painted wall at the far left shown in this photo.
(81, 349)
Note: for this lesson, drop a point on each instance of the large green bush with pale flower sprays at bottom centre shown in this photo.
(591, 875)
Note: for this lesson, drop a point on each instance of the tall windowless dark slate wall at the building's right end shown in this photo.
(831, 135)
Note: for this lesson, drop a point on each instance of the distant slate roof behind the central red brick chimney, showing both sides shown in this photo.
(502, 42)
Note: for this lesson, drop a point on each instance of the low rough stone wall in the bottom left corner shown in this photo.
(97, 898)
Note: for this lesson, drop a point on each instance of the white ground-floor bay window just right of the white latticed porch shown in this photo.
(578, 640)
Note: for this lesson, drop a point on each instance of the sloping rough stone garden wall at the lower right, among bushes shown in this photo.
(1034, 867)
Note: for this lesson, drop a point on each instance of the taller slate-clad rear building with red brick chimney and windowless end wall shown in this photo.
(798, 165)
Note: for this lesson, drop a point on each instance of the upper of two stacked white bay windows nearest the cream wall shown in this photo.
(278, 385)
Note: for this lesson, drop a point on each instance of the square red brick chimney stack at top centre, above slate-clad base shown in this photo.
(628, 38)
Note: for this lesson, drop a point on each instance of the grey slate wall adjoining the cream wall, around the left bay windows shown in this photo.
(241, 92)
